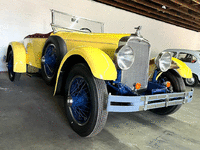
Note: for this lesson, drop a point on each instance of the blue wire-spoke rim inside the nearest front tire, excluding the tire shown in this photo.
(79, 100)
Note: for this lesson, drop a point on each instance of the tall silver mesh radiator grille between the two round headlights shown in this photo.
(139, 70)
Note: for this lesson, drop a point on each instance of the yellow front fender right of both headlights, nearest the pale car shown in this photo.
(183, 69)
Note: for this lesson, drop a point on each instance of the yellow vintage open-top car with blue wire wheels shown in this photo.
(99, 73)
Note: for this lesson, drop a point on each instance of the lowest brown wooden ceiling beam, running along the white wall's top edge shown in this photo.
(128, 8)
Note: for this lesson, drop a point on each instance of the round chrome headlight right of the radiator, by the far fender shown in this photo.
(163, 61)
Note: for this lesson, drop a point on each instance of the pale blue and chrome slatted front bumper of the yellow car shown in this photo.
(143, 103)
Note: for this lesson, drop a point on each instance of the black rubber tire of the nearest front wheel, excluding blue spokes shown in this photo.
(100, 94)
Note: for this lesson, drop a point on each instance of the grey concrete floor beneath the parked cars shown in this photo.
(31, 119)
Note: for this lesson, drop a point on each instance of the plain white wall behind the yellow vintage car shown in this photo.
(22, 17)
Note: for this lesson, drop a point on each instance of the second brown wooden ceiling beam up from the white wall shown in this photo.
(153, 11)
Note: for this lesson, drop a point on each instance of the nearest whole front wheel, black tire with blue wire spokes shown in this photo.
(85, 101)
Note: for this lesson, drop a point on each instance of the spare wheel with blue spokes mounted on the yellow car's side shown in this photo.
(53, 52)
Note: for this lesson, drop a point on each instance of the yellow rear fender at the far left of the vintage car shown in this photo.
(19, 55)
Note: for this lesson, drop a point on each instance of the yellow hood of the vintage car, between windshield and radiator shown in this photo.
(107, 42)
